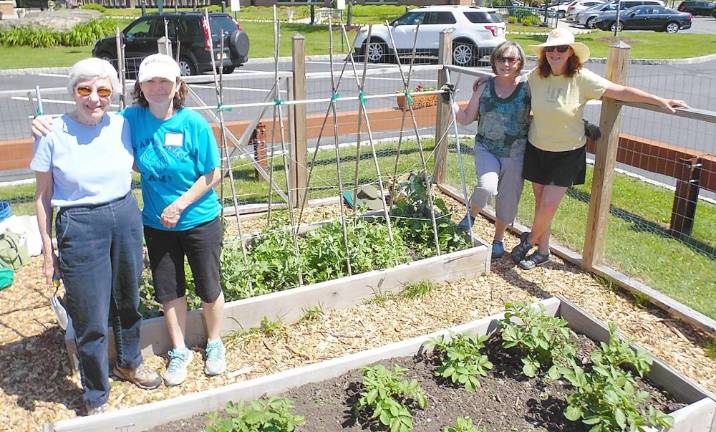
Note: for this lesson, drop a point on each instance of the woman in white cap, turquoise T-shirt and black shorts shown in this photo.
(177, 156)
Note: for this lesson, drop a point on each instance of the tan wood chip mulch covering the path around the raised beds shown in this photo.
(37, 386)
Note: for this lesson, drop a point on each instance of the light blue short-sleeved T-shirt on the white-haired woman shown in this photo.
(89, 164)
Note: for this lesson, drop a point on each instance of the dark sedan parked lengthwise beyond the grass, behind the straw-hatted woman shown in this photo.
(657, 18)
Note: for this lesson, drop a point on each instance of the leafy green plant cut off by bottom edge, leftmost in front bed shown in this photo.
(273, 415)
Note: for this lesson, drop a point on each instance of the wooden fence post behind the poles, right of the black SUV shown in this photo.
(299, 147)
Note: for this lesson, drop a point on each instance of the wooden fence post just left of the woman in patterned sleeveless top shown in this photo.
(443, 114)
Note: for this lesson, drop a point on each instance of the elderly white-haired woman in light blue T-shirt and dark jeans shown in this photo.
(83, 168)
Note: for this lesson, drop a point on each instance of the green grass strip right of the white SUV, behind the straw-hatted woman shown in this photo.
(644, 45)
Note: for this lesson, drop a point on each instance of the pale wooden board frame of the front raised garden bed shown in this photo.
(697, 412)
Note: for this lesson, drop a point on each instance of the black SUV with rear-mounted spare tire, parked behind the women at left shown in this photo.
(187, 32)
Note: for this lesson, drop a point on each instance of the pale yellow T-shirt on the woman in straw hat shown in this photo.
(557, 106)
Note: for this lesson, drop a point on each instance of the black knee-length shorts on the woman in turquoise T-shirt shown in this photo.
(202, 247)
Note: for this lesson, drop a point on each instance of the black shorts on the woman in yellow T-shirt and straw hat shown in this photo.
(567, 168)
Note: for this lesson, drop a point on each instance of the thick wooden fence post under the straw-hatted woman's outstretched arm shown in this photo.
(604, 160)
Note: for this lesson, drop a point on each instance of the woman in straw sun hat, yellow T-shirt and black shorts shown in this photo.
(555, 158)
